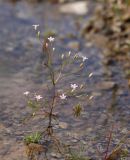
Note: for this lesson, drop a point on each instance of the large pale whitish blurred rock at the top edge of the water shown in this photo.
(77, 8)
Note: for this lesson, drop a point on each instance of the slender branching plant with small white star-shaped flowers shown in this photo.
(57, 75)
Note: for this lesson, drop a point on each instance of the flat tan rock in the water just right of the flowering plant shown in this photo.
(106, 85)
